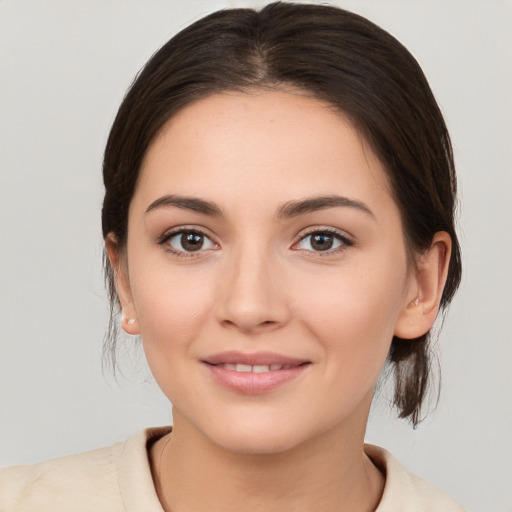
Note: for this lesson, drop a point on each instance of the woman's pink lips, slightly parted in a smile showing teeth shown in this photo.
(253, 373)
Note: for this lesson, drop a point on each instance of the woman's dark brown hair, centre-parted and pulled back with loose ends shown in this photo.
(333, 55)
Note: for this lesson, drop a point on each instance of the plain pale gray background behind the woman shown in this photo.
(64, 68)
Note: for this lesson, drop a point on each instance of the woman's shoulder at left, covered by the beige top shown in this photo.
(95, 480)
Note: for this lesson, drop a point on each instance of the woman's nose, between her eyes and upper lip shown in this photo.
(252, 293)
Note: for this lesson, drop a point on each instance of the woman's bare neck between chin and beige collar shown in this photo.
(326, 474)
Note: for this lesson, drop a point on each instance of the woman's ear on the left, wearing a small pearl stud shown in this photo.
(118, 263)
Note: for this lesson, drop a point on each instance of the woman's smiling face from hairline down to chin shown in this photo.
(266, 268)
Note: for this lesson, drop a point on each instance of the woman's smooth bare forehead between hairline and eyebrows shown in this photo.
(276, 144)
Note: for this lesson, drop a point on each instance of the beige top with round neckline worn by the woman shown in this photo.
(118, 479)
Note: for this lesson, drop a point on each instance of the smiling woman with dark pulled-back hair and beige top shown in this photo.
(278, 224)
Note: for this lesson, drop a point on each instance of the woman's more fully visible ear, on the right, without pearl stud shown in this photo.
(425, 289)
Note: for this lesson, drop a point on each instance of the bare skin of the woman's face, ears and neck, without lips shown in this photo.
(258, 284)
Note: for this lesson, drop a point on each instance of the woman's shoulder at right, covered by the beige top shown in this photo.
(405, 491)
